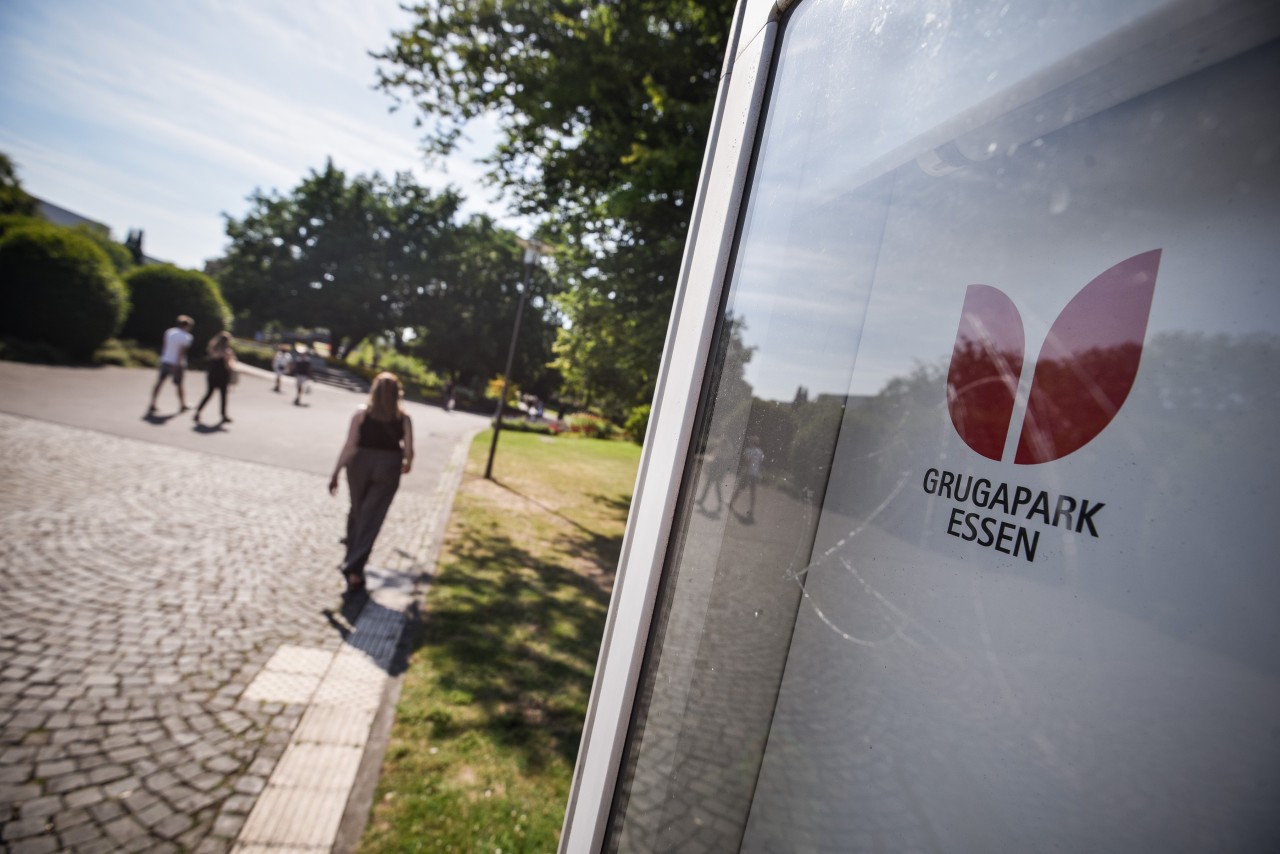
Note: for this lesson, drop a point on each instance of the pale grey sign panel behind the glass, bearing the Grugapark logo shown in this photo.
(1040, 614)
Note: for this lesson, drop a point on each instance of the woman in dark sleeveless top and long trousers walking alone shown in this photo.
(380, 450)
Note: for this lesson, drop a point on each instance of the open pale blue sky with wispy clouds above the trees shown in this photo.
(166, 116)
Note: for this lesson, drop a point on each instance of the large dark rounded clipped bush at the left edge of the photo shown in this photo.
(57, 287)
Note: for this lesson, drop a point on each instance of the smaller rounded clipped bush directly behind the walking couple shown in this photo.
(161, 293)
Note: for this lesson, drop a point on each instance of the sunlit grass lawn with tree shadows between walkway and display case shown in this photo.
(488, 725)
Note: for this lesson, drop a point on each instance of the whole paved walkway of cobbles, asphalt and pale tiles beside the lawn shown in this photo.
(176, 673)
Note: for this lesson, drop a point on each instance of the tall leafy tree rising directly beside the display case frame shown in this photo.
(604, 113)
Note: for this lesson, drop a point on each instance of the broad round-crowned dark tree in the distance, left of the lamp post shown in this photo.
(348, 255)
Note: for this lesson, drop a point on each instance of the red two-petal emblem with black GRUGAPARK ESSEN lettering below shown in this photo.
(1084, 376)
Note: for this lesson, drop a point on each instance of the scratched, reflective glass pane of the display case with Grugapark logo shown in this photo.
(976, 550)
